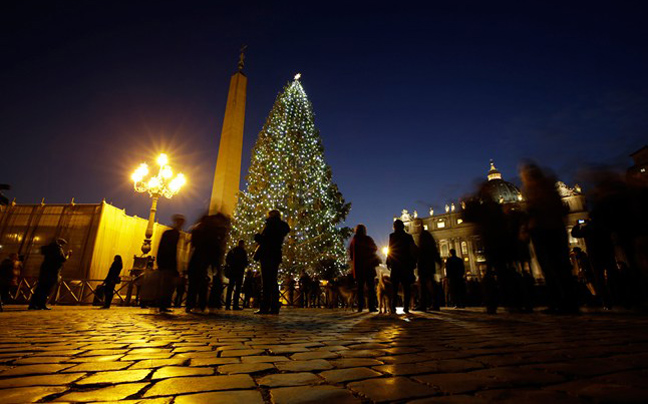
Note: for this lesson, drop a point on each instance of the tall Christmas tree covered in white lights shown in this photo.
(288, 173)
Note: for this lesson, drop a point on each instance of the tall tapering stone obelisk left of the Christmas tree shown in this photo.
(228, 165)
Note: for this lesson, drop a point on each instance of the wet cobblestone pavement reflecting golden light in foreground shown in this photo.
(82, 354)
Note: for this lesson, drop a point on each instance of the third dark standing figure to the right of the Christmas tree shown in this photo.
(428, 258)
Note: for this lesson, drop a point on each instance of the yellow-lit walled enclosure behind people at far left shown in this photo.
(95, 233)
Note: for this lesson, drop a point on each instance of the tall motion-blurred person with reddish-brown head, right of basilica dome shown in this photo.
(549, 236)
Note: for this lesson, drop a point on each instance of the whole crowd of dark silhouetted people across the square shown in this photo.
(611, 272)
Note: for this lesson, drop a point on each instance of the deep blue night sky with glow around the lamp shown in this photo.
(411, 100)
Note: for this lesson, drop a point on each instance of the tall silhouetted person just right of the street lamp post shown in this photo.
(167, 260)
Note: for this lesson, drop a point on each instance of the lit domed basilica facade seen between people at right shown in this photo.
(451, 232)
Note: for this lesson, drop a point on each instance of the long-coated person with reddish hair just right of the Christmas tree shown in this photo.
(364, 261)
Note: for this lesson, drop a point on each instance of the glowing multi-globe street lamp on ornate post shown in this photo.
(162, 184)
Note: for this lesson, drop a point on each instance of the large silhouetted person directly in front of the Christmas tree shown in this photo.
(269, 255)
